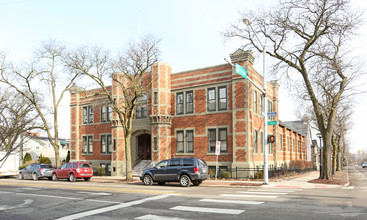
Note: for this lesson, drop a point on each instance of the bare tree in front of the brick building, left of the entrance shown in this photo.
(128, 71)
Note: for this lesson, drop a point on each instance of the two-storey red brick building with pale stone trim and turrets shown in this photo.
(184, 115)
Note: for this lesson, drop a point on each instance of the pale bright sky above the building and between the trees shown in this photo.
(190, 33)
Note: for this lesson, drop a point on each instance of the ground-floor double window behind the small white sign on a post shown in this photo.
(219, 134)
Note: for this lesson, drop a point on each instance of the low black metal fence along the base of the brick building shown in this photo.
(254, 173)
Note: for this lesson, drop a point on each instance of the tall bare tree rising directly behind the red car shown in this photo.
(43, 82)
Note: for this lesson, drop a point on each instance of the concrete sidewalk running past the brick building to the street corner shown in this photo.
(296, 182)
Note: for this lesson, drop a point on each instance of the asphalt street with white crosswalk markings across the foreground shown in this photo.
(43, 199)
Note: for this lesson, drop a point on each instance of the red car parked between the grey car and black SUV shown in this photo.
(73, 171)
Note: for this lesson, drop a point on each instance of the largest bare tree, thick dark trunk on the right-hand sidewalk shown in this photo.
(309, 41)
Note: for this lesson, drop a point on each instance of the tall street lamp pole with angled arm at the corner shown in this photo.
(266, 172)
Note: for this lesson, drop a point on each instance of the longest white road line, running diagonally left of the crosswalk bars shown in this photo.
(111, 208)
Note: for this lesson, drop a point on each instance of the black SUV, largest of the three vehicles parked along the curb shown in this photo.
(183, 170)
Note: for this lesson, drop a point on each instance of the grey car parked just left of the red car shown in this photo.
(36, 171)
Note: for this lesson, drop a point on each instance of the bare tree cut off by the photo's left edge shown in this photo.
(17, 117)
